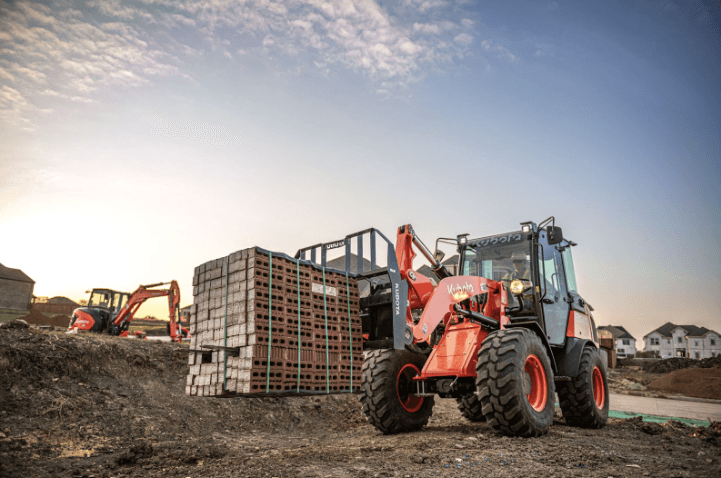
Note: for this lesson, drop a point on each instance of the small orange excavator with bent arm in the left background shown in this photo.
(109, 311)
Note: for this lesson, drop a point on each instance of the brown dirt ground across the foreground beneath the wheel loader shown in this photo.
(98, 406)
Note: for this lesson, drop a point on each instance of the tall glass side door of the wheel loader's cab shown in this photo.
(554, 292)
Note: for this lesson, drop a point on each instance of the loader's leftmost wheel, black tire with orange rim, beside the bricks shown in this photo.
(385, 391)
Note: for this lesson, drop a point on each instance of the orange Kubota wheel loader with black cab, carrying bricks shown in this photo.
(502, 337)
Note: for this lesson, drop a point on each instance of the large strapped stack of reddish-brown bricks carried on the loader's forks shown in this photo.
(255, 304)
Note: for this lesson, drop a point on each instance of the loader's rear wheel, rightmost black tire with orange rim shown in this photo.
(584, 400)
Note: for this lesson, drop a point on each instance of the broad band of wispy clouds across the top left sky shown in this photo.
(81, 48)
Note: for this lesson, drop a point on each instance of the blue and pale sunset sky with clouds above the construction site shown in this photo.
(142, 138)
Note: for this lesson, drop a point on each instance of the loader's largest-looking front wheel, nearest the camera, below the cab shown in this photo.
(514, 371)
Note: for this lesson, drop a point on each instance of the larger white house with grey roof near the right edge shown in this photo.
(671, 340)
